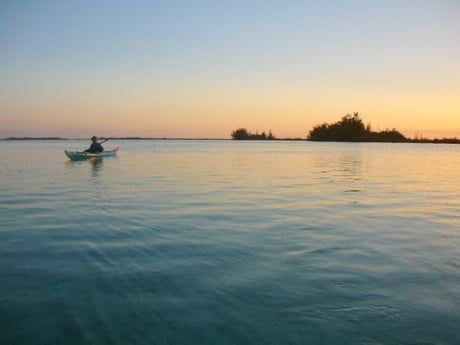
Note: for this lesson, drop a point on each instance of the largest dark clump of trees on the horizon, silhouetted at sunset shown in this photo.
(352, 128)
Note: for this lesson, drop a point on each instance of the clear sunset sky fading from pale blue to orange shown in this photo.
(203, 68)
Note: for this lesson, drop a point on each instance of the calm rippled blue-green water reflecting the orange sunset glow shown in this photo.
(223, 242)
